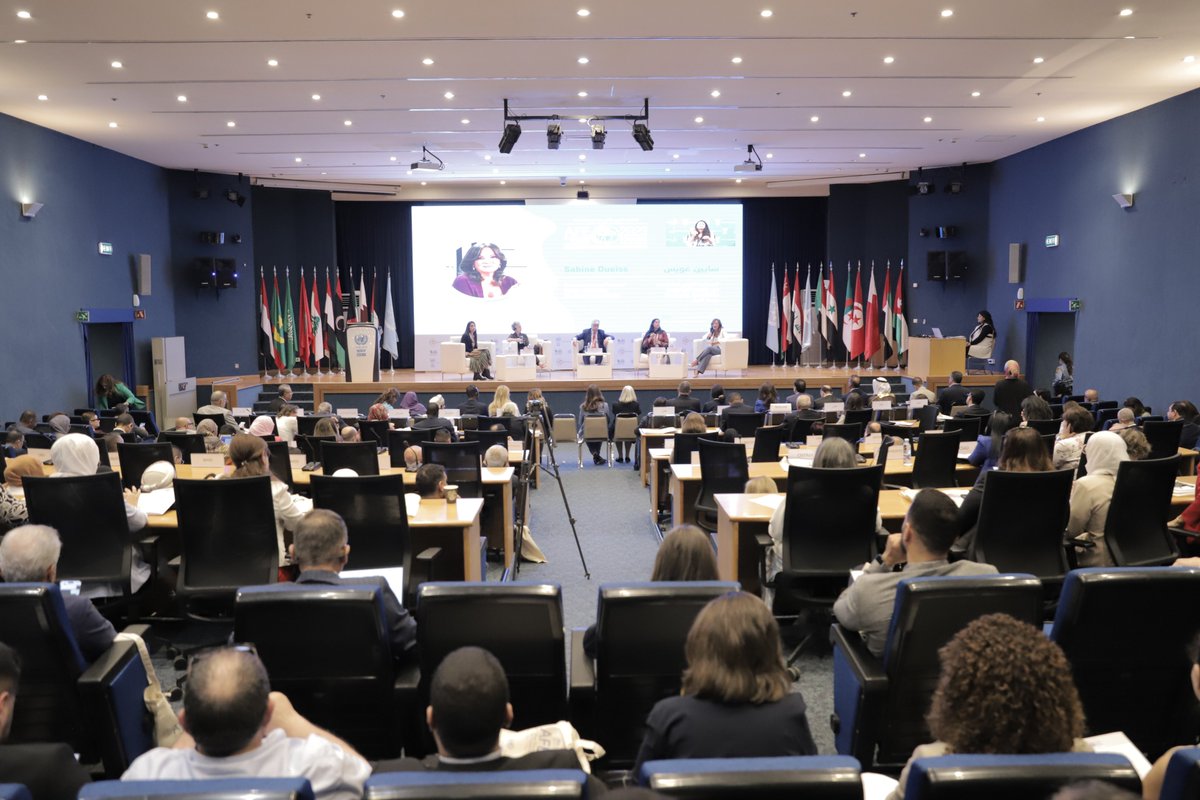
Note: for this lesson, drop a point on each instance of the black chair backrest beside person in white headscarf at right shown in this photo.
(1136, 530)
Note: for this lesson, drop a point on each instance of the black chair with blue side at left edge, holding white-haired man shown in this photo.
(98, 709)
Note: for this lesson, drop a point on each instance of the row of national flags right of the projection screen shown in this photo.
(790, 317)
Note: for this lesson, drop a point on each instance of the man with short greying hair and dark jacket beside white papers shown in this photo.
(321, 549)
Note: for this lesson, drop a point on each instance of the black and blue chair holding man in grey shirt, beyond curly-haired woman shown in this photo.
(880, 703)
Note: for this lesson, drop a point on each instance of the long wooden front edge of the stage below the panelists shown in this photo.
(563, 381)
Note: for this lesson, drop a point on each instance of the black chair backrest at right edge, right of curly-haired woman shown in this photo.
(1126, 633)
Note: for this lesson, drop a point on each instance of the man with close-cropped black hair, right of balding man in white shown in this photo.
(469, 707)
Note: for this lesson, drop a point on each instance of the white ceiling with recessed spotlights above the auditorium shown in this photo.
(380, 104)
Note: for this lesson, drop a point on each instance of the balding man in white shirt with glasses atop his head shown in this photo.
(237, 727)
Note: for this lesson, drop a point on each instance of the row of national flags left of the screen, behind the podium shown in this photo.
(320, 330)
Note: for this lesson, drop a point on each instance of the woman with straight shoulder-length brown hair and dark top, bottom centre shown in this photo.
(737, 699)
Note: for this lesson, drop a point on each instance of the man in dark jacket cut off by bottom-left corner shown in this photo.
(49, 771)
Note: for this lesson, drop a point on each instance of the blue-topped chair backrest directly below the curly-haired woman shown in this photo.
(992, 778)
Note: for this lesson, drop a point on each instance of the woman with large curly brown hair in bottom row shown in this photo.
(1005, 689)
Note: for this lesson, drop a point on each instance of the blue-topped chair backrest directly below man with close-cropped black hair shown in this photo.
(517, 785)
